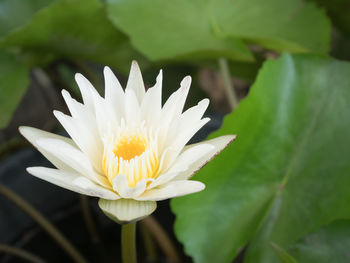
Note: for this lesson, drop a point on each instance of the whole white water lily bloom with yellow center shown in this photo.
(126, 148)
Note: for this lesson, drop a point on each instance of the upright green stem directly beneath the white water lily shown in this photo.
(129, 243)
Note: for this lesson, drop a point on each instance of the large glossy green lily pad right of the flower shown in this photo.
(287, 173)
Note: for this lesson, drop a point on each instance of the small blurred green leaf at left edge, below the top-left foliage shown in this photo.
(14, 79)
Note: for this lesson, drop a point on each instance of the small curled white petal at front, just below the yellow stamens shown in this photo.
(120, 185)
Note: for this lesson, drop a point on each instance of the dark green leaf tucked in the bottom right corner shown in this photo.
(328, 244)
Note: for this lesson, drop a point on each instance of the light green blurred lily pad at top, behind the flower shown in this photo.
(180, 28)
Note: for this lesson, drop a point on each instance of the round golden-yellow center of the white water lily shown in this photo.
(130, 147)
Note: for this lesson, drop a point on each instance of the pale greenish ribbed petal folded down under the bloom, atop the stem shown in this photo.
(125, 211)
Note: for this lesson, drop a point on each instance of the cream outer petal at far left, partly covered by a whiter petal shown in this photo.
(33, 134)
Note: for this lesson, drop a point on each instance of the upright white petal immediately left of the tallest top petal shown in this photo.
(114, 93)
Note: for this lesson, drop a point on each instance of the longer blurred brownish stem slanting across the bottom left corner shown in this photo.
(43, 222)
